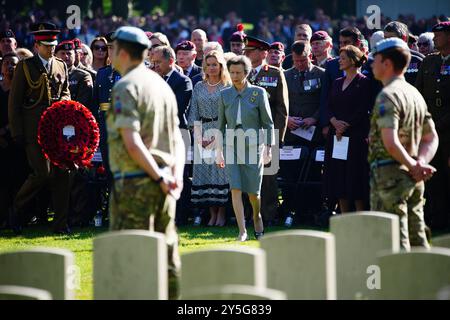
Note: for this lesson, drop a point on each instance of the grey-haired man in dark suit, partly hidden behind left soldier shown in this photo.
(163, 60)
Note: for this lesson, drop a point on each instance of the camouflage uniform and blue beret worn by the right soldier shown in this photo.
(399, 106)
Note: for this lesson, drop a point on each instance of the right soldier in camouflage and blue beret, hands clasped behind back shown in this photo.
(402, 142)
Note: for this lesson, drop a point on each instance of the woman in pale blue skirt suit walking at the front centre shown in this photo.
(244, 113)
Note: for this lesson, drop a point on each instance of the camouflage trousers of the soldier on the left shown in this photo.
(139, 203)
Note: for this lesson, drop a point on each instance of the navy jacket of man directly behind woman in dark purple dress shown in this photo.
(332, 72)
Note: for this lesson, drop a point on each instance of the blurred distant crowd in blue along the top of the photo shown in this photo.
(280, 28)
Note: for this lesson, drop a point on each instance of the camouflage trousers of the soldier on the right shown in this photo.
(392, 190)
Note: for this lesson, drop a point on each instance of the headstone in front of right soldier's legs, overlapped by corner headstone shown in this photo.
(359, 238)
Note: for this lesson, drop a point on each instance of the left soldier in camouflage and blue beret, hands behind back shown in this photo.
(145, 147)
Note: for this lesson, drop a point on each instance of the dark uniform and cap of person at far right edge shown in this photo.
(433, 82)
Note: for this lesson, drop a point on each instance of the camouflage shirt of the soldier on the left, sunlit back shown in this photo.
(144, 102)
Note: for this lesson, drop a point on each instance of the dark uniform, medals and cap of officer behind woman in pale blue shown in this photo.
(272, 79)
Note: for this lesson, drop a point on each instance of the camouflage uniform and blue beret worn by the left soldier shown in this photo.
(142, 101)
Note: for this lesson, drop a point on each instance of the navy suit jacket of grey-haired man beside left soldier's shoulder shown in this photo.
(182, 88)
